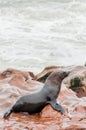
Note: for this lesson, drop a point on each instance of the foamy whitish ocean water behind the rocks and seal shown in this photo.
(39, 33)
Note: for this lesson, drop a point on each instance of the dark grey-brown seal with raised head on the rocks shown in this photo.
(34, 103)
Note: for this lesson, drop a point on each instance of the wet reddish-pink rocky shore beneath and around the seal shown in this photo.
(15, 83)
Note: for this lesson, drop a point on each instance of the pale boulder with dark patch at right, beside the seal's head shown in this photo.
(77, 81)
